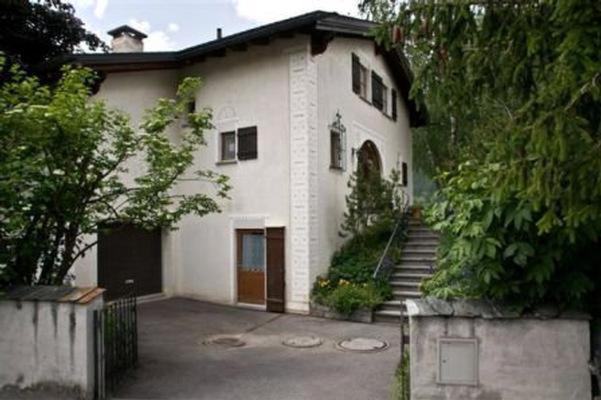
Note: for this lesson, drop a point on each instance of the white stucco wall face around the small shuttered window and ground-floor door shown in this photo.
(244, 89)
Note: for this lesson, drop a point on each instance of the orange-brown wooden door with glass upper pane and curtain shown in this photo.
(250, 255)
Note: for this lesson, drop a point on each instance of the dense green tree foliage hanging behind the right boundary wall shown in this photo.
(514, 87)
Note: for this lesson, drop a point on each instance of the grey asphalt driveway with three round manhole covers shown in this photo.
(178, 361)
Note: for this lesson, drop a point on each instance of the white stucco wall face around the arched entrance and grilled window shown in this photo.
(363, 122)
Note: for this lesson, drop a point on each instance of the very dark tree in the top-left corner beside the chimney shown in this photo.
(35, 34)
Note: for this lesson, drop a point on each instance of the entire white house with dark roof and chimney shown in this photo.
(296, 105)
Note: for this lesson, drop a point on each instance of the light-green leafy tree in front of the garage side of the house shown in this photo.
(64, 171)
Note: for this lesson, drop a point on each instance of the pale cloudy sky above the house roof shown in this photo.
(177, 24)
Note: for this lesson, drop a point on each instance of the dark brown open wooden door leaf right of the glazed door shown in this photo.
(275, 269)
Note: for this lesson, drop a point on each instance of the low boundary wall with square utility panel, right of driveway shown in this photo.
(542, 356)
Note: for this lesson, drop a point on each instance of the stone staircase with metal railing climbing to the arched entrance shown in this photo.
(417, 262)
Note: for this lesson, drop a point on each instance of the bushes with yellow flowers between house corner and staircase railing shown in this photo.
(374, 207)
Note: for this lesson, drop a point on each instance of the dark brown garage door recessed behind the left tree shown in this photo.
(129, 257)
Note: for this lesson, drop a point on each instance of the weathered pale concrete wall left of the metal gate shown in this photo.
(48, 343)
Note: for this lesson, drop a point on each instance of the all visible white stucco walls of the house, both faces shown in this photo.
(292, 97)
